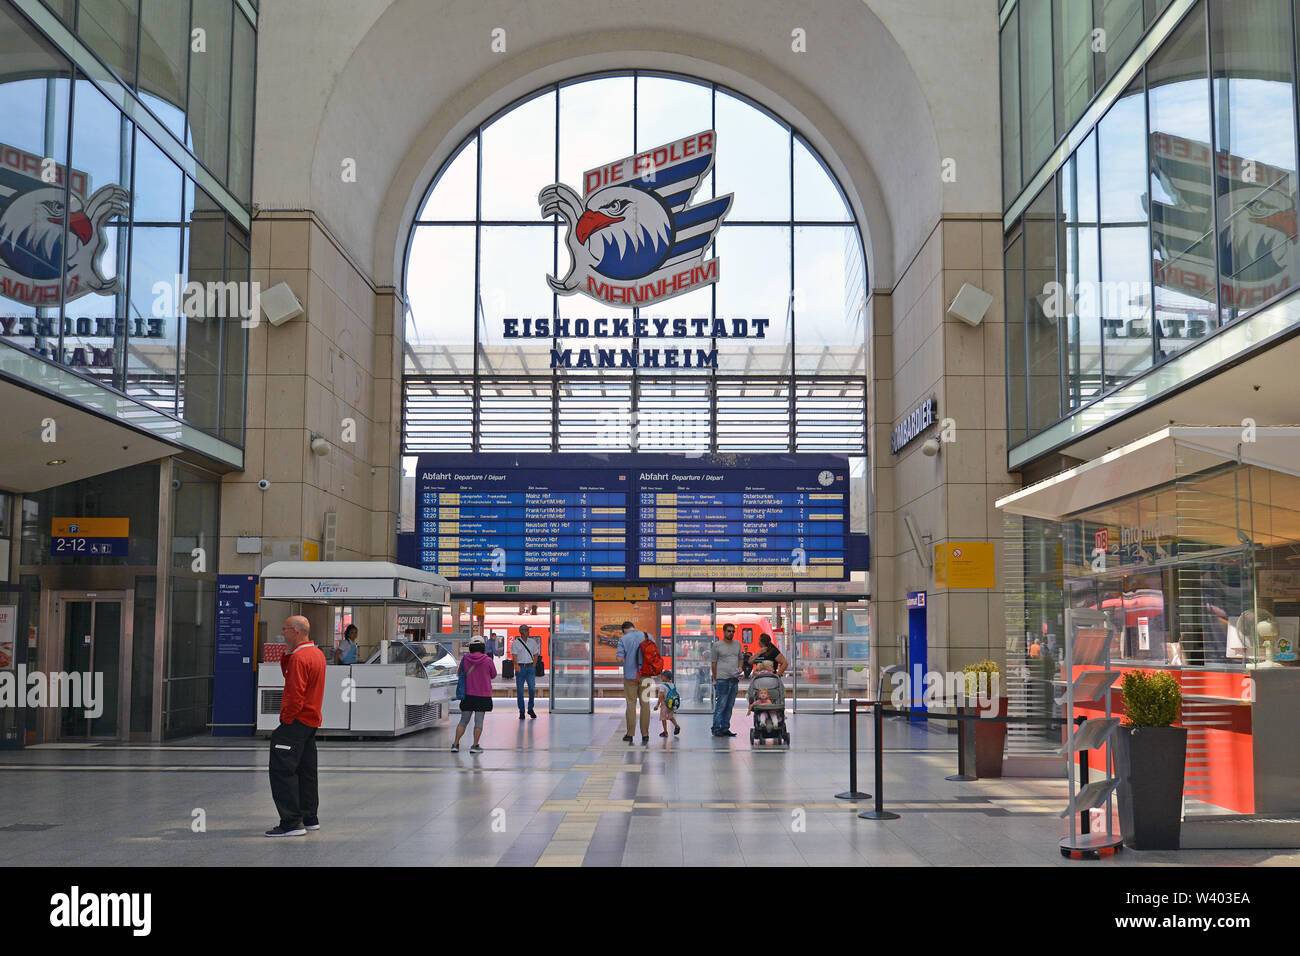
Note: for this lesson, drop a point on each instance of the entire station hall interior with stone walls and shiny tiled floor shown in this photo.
(903, 338)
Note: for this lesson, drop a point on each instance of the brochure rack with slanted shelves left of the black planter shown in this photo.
(1087, 643)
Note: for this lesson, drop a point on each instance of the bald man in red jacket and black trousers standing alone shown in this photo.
(293, 743)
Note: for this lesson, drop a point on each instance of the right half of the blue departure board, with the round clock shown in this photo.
(753, 524)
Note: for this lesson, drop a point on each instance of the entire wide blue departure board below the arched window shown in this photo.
(632, 517)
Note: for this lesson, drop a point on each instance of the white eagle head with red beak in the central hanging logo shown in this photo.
(626, 230)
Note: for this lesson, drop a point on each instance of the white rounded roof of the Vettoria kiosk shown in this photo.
(353, 582)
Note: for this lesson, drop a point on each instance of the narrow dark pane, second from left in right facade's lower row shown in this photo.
(1042, 330)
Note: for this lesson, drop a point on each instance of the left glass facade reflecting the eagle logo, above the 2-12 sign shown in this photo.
(102, 231)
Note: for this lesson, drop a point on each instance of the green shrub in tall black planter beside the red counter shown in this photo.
(1150, 760)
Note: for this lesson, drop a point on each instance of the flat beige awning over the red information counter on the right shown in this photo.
(1158, 460)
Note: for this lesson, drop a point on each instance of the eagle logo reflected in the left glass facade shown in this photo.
(51, 233)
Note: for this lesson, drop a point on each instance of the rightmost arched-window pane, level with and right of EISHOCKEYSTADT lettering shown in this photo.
(830, 301)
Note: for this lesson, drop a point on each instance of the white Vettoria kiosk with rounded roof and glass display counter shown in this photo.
(406, 686)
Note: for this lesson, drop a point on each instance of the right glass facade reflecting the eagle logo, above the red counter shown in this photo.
(1175, 217)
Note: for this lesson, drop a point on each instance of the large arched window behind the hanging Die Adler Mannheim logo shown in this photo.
(482, 250)
